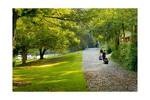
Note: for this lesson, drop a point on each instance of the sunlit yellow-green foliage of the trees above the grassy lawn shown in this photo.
(45, 28)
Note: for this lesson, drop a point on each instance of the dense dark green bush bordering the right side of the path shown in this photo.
(126, 55)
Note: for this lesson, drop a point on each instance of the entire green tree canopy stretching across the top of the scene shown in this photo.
(69, 29)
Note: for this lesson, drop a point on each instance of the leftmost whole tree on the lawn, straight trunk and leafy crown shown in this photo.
(24, 37)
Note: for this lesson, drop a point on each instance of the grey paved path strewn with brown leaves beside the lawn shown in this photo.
(106, 77)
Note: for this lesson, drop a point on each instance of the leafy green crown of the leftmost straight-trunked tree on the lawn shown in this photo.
(24, 34)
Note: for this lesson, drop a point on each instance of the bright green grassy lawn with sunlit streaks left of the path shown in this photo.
(62, 73)
